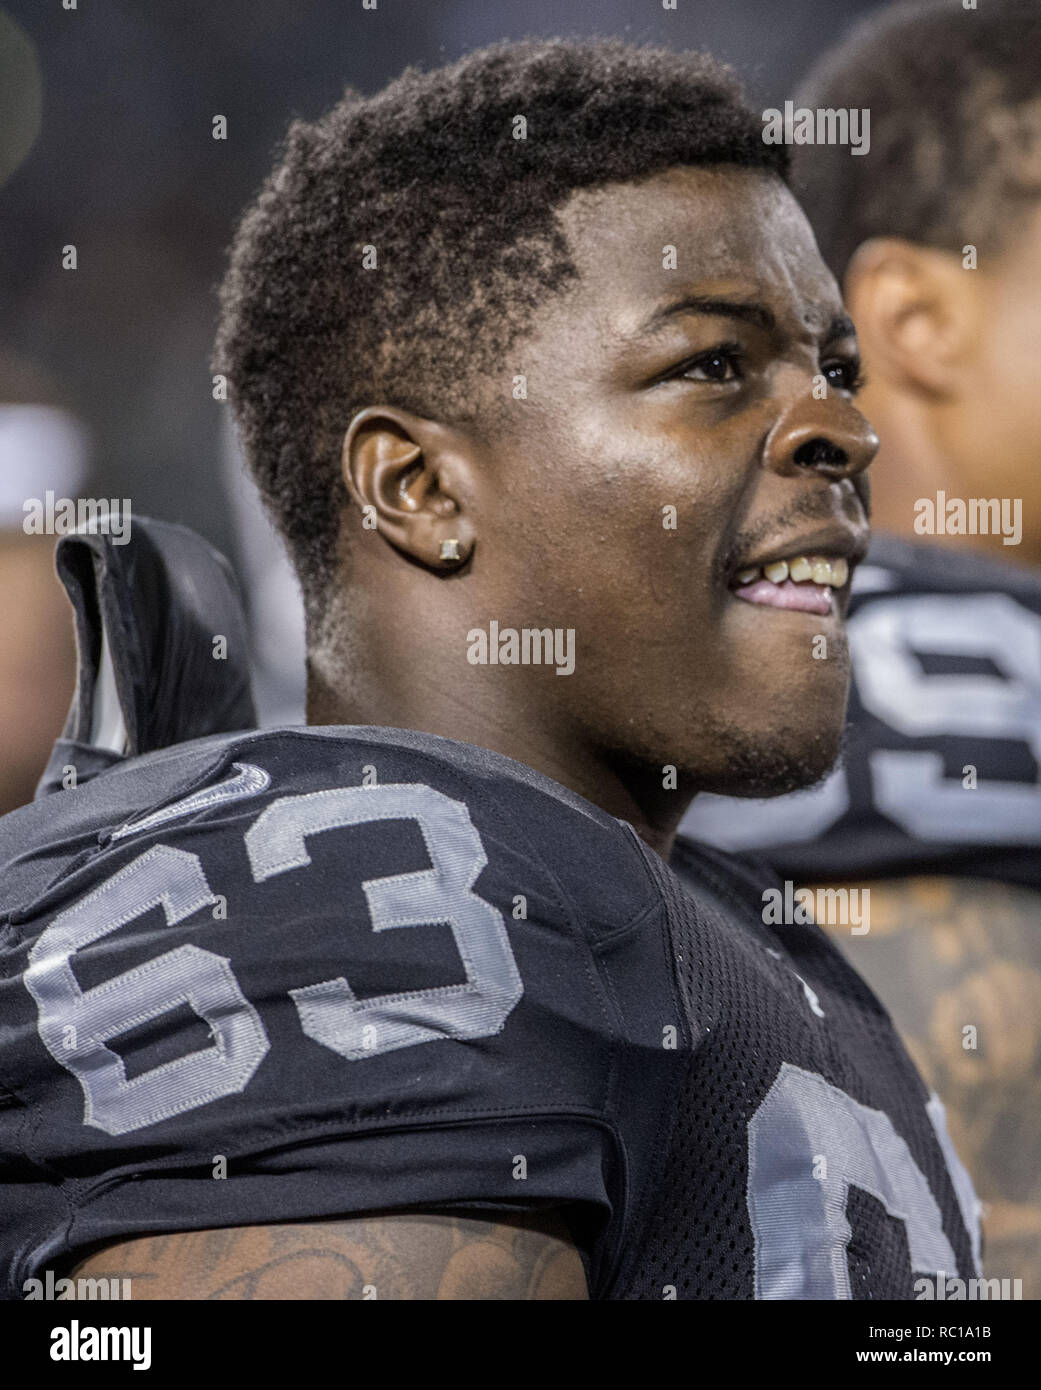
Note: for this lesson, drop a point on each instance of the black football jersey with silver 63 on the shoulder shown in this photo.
(313, 974)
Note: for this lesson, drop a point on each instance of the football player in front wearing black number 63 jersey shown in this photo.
(409, 1003)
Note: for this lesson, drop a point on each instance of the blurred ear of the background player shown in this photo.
(917, 315)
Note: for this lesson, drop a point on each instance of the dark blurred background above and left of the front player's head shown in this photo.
(124, 167)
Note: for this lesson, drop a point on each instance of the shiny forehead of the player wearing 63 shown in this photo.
(728, 226)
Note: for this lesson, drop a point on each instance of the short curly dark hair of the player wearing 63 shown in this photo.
(407, 240)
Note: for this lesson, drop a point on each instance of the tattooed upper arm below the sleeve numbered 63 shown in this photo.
(398, 1256)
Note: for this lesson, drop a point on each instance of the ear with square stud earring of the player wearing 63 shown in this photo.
(411, 480)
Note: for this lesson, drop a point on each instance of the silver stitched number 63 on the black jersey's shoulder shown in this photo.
(77, 1025)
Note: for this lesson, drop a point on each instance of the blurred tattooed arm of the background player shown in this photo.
(958, 965)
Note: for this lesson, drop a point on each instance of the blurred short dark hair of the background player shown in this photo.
(956, 102)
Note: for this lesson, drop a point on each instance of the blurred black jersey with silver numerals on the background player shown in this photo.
(942, 769)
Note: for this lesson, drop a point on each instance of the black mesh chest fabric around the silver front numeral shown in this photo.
(747, 1011)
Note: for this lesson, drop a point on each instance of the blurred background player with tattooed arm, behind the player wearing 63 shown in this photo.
(939, 801)
